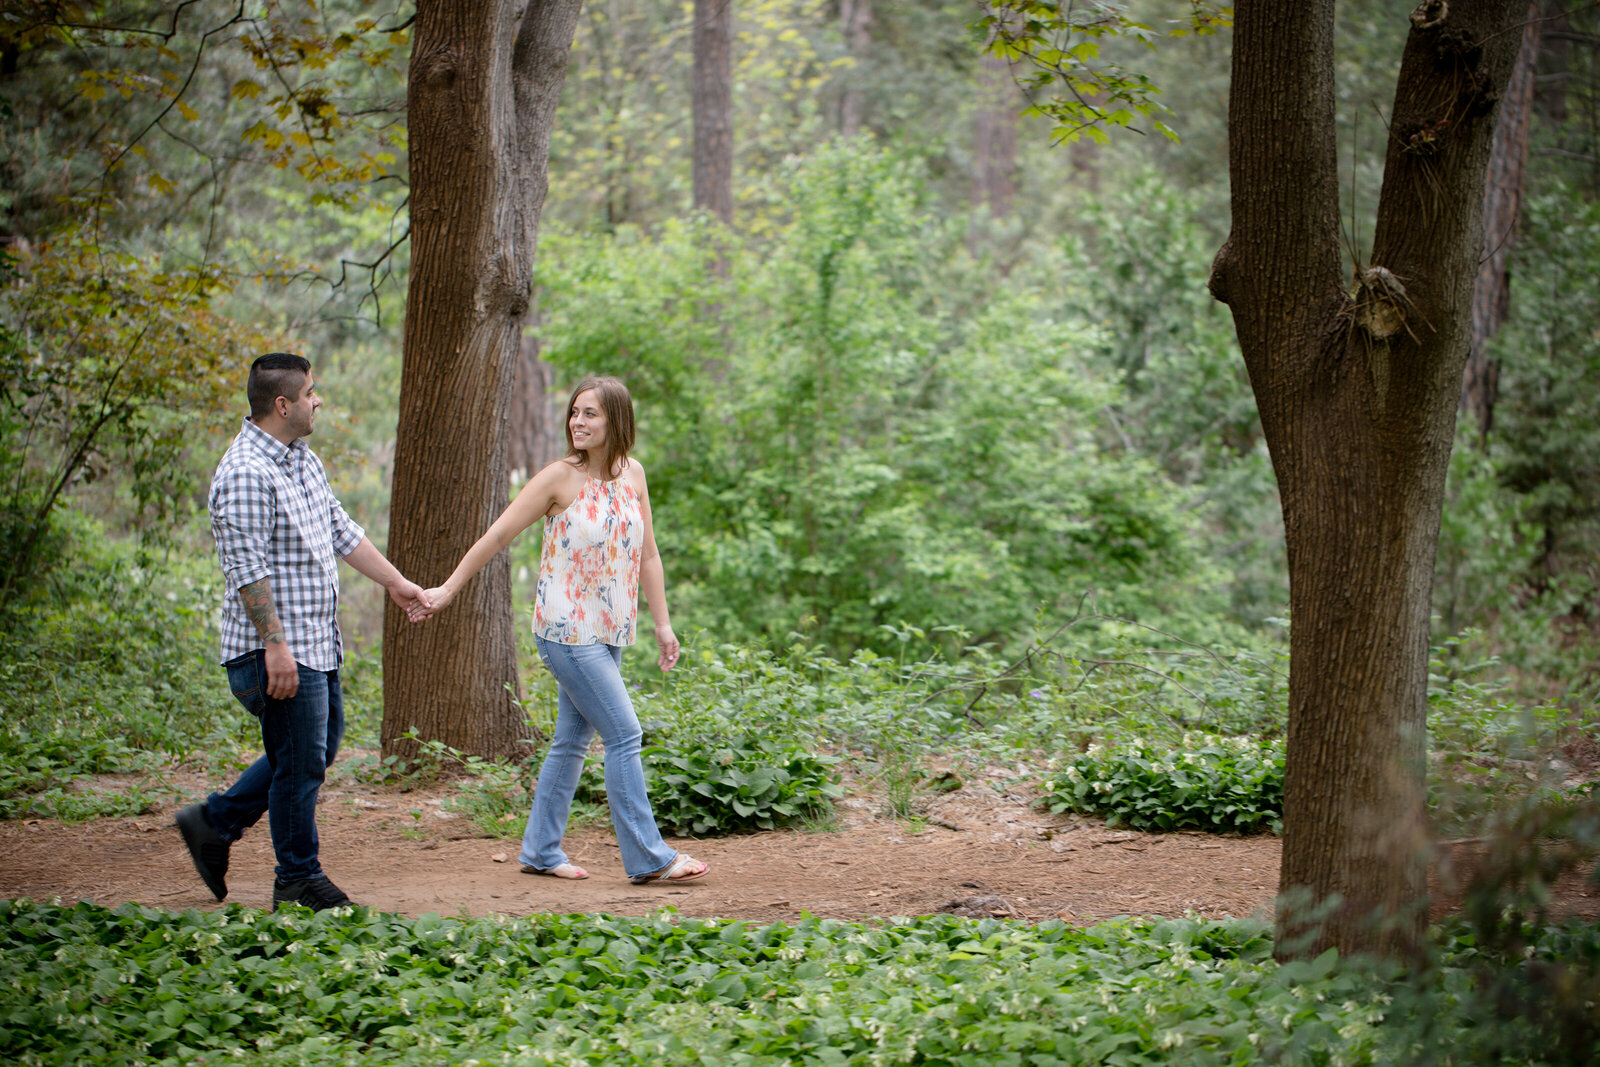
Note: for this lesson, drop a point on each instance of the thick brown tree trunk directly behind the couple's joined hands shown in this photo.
(482, 103)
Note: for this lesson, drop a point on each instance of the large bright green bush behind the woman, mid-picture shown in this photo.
(858, 441)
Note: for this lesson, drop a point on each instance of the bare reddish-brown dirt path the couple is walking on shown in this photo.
(978, 852)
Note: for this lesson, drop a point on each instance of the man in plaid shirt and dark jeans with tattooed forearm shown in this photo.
(279, 530)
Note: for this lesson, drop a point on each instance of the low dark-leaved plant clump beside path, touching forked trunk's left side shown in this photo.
(1220, 785)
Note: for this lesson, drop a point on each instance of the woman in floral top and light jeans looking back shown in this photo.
(599, 546)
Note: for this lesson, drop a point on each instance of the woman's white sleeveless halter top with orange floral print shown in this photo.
(590, 569)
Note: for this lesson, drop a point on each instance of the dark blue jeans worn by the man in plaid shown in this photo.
(302, 737)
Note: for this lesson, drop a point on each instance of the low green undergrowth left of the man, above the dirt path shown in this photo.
(110, 668)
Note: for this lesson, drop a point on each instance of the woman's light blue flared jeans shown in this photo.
(591, 698)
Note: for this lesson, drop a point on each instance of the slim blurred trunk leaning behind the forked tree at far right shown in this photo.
(1502, 210)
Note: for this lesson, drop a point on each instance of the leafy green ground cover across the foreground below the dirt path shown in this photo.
(89, 985)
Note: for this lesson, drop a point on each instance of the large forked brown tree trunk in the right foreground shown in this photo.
(1358, 399)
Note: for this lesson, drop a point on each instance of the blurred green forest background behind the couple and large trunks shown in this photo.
(940, 370)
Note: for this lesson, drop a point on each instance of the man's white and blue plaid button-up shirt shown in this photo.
(274, 516)
